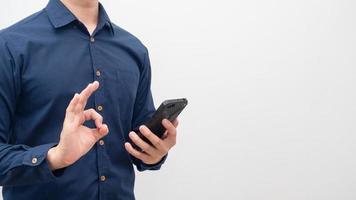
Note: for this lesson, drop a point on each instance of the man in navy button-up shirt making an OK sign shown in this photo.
(54, 145)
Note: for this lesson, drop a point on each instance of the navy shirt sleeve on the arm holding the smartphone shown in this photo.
(144, 109)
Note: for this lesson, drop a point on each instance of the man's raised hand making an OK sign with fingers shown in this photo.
(76, 139)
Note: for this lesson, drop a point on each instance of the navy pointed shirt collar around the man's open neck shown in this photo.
(60, 15)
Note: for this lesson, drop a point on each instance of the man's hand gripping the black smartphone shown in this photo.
(152, 154)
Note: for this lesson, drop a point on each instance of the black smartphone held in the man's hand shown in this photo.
(169, 109)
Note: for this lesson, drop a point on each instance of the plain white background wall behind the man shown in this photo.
(272, 91)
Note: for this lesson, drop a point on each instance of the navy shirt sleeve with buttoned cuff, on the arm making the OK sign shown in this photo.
(19, 164)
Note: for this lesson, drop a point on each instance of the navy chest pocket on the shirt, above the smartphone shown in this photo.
(121, 88)
